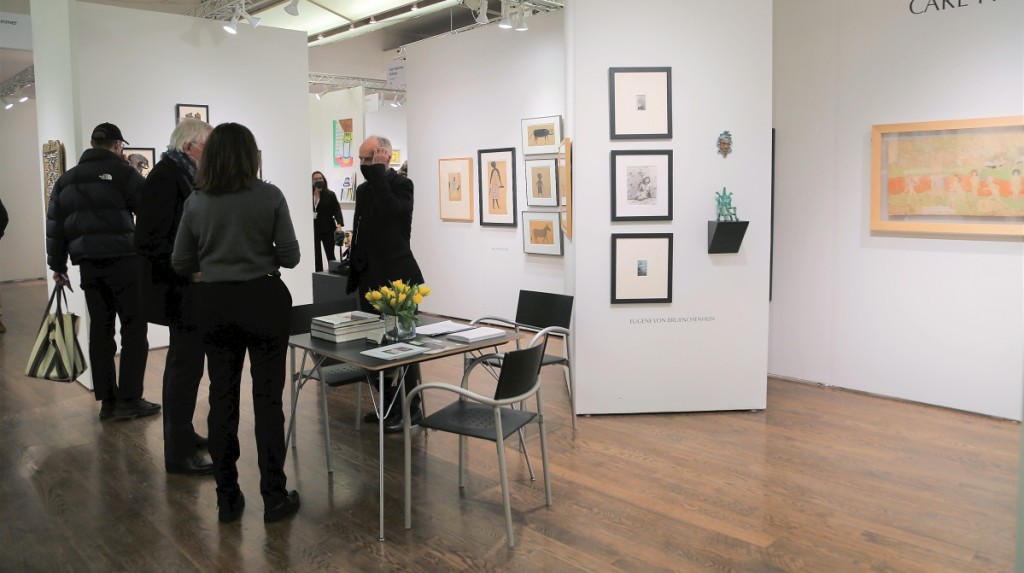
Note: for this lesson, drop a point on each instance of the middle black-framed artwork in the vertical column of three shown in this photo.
(642, 186)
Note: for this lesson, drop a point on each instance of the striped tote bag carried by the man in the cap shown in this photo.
(57, 355)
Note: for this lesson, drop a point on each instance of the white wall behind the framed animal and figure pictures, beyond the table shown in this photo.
(470, 93)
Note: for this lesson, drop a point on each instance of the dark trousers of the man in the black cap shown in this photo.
(112, 290)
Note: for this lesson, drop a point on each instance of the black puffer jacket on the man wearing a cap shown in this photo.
(91, 211)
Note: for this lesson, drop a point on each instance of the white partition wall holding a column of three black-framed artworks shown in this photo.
(706, 350)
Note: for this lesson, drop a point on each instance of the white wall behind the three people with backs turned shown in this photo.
(83, 80)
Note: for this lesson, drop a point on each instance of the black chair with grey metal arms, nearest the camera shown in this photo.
(476, 416)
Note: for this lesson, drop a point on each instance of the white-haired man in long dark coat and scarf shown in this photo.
(169, 298)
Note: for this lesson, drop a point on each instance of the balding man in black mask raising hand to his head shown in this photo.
(381, 248)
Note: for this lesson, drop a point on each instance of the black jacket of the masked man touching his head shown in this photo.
(382, 230)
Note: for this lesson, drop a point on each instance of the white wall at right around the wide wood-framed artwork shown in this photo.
(934, 321)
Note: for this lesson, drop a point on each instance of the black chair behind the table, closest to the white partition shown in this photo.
(549, 314)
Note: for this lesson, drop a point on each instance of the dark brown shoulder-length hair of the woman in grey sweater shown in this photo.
(231, 161)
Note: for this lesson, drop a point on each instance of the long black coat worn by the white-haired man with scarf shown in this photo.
(164, 291)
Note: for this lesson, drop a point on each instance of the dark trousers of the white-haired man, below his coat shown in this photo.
(183, 374)
